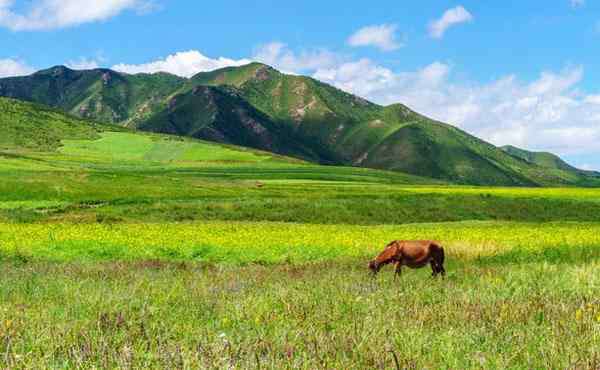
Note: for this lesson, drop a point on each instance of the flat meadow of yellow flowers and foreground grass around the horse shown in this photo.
(516, 296)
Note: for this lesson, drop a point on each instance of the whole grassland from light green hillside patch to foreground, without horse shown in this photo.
(141, 251)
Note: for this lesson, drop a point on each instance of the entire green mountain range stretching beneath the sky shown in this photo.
(259, 107)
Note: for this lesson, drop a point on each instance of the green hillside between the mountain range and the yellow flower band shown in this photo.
(56, 168)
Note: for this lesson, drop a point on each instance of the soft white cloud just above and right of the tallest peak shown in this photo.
(278, 55)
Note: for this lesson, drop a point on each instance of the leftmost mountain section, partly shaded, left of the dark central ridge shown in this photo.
(99, 94)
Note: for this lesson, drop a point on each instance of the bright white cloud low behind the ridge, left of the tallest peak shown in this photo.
(184, 64)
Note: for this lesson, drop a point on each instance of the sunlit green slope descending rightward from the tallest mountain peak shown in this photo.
(361, 133)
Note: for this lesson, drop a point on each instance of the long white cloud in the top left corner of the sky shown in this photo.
(52, 14)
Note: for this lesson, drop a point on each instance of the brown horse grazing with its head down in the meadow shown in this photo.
(414, 254)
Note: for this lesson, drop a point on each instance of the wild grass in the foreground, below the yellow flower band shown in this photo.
(323, 315)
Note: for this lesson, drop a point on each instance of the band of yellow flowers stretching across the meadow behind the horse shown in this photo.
(246, 242)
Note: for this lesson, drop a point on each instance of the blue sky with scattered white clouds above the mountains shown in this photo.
(512, 72)
